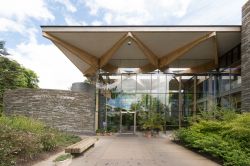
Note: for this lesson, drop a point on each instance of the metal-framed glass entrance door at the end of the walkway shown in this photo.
(128, 122)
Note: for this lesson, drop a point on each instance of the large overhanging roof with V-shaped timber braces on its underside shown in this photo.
(146, 47)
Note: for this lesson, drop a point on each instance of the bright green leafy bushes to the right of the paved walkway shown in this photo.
(223, 134)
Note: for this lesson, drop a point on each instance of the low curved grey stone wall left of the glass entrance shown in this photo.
(66, 110)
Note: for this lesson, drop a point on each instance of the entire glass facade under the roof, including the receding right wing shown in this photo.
(176, 96)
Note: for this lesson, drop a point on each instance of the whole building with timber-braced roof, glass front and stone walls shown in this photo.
(176, 70)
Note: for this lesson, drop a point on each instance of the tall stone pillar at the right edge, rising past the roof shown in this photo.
(245, 57)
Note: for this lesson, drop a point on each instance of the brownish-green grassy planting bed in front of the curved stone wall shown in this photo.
(22, 139)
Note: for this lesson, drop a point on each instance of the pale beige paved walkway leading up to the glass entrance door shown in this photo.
(139, 151)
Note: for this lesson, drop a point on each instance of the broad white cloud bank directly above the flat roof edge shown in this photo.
(165, 12)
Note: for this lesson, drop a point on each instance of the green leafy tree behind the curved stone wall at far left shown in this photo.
(13, 76)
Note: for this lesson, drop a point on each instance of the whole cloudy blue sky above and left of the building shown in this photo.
(20, 22)
